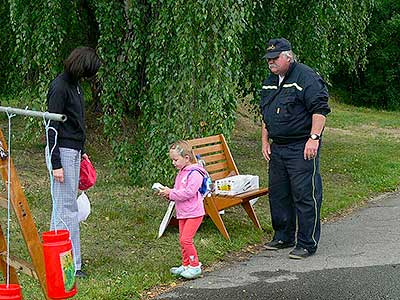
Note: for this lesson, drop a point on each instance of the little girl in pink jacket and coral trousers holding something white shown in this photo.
(188, 205)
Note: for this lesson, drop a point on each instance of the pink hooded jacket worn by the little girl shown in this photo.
(188, 200)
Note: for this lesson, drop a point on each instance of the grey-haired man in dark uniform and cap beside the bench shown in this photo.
(294, 105)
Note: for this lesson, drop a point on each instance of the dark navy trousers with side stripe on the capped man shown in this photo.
(295, 190)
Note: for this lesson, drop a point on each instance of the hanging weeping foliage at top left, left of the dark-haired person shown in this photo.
(39, 32)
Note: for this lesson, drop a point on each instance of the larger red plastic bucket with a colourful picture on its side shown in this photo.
(59, 263)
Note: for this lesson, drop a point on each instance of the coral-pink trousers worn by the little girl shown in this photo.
(187, 231)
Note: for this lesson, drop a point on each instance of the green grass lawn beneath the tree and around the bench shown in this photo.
(122, 255)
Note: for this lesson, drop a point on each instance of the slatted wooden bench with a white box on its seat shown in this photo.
(220, 164)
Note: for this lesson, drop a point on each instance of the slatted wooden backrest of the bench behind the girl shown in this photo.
(215, 152)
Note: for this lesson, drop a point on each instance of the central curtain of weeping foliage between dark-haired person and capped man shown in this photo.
(174, 70)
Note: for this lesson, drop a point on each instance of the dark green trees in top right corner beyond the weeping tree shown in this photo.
(378, 84)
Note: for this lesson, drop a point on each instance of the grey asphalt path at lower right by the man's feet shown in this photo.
(358, 258)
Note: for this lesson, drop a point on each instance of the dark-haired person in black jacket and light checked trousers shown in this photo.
(66, 143)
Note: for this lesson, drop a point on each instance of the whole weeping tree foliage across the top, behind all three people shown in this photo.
(175, 69)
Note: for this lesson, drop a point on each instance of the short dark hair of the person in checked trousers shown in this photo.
(82, 62)
